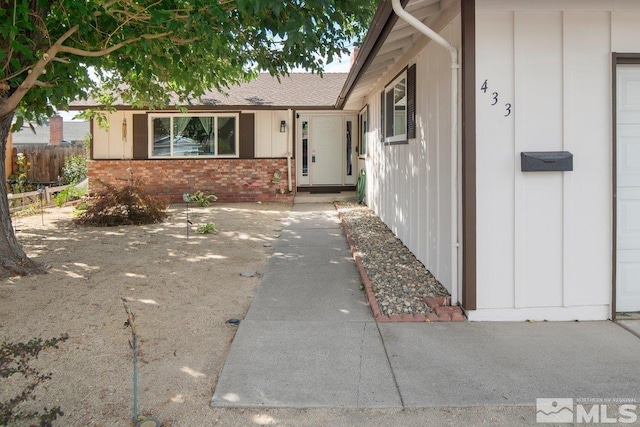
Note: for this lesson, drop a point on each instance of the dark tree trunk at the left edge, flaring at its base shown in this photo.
(13, 260)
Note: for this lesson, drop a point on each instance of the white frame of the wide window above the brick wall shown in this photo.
(216, 116)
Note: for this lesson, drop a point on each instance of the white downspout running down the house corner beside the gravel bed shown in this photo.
(453, 52)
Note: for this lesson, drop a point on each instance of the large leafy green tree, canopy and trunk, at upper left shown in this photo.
(151, 54)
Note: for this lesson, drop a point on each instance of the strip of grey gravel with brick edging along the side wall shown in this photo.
(398, 279)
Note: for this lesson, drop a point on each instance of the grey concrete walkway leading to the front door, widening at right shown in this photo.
(309, 340)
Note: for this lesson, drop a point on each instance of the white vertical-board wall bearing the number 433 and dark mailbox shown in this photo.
(544, 238)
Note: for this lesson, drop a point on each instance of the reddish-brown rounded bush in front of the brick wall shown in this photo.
(128, 205)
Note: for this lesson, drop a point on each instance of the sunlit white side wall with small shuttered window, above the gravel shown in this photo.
(408, 185)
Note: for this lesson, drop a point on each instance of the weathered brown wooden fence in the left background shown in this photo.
(46, 163)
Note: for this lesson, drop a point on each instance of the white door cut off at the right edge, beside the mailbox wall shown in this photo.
(628, 189)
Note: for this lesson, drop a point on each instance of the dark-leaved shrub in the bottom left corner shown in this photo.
(14, 359)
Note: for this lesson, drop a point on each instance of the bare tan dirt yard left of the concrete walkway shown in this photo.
(182, 290)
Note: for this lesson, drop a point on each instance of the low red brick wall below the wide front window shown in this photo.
(232, 180)
